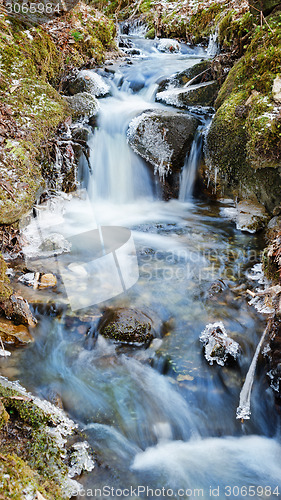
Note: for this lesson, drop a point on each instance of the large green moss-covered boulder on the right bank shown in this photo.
(244, 141)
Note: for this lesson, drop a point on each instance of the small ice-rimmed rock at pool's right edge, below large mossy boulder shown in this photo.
(251, 216)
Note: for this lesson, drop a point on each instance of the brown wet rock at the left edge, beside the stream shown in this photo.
(17, 309)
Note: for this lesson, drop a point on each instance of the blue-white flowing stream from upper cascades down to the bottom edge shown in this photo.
(159, 418)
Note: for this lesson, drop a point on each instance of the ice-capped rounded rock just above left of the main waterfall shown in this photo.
(90, 82)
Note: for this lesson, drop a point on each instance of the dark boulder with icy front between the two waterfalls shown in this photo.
(162, 138)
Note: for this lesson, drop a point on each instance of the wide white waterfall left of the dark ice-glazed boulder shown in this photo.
(119, 175)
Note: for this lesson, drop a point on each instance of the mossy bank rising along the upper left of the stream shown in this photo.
(33, 59)
